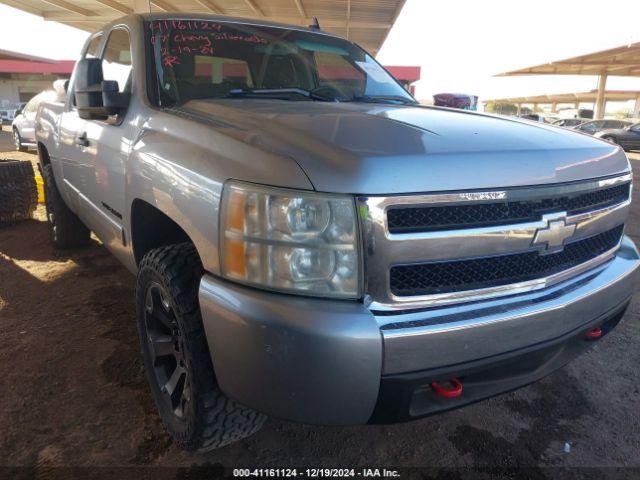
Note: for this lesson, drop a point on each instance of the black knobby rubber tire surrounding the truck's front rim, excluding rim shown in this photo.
(209, 420)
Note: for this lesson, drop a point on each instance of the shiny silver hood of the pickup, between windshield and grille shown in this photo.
(386, 149)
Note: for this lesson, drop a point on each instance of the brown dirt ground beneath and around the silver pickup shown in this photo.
(72, 390)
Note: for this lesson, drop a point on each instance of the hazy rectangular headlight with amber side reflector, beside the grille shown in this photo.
(290, 241)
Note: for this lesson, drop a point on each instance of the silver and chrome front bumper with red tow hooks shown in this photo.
(336, 362)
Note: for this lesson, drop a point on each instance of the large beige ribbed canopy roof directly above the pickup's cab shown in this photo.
(365, 22)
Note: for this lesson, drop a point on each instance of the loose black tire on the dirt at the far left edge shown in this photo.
(18, 191)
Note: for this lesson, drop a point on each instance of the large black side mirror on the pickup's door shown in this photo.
(96, 98)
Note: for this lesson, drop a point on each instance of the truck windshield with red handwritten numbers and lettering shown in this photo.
(196, 59)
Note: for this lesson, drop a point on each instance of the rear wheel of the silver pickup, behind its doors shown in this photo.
(65, 228)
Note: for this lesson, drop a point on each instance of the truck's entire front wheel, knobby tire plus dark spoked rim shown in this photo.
(176, 356)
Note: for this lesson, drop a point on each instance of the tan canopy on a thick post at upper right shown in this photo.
(620, 61)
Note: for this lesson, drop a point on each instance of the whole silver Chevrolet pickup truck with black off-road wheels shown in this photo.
(310, 243)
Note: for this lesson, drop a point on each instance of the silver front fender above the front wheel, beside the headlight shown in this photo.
(180, 167)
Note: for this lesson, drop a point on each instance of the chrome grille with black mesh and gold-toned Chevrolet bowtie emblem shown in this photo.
(503, 242)
